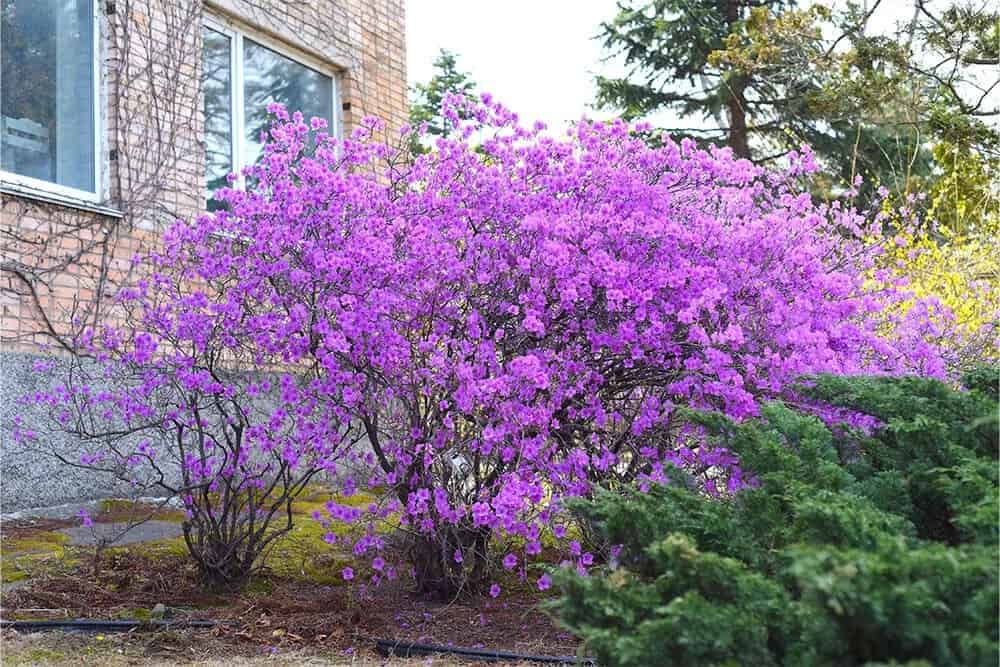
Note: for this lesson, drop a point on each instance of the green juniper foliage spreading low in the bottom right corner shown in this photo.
(853, 549)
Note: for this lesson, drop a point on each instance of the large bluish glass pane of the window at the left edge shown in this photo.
(47, 100)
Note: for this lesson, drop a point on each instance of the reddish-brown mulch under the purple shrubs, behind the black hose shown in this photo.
(289, 613)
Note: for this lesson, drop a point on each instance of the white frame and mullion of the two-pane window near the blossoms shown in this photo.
(237, 32)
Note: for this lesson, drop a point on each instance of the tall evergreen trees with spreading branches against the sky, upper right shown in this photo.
(766, 76)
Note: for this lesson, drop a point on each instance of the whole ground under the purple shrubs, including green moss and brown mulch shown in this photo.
(297, 610)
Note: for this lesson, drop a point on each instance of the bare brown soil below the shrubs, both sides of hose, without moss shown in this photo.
(275, 617)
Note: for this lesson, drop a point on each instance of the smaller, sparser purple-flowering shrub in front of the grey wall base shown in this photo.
(179, 401)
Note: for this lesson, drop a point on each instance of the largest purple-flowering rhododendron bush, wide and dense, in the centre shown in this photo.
(512, 318)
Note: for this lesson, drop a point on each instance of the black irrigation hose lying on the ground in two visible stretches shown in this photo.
(385, 647)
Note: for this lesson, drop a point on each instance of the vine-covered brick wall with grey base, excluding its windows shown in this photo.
(61, 263)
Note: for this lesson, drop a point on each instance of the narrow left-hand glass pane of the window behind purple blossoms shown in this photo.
(217, 85)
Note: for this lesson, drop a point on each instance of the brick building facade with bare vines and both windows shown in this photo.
(118, 117)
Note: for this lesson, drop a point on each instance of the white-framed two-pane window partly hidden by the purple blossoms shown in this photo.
(241, 77)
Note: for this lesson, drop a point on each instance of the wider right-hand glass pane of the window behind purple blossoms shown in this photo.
(270, 77)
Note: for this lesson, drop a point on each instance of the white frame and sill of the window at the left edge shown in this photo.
(28, 186)
